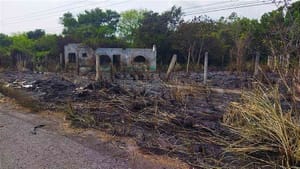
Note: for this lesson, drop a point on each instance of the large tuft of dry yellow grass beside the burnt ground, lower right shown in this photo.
(264, 129)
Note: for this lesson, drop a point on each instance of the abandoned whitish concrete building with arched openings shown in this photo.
(121, 59)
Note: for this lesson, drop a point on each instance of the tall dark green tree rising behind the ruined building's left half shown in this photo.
(95, 27)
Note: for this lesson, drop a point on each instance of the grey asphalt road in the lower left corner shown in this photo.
(20, 149)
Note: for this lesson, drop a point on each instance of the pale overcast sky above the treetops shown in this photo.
(25, 15)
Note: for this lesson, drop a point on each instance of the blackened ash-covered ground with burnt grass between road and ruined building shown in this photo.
(176, 118)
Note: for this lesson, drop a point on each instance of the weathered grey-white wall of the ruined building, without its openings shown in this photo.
(127, 56)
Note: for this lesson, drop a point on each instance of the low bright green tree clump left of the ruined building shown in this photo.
(19, 47)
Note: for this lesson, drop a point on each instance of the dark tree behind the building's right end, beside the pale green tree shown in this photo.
(158, 29)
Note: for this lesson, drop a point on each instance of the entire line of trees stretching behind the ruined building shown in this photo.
(231, 41)
